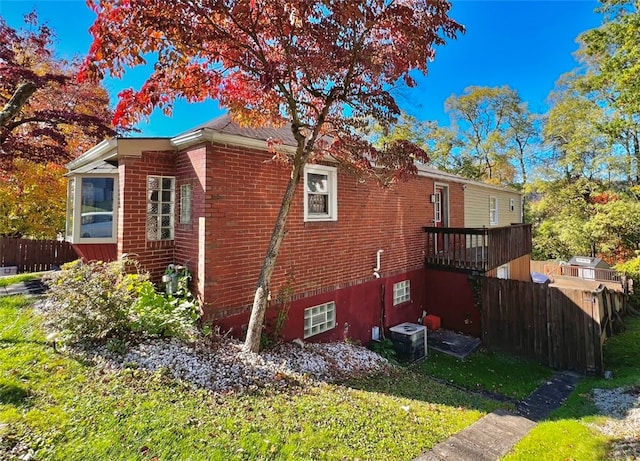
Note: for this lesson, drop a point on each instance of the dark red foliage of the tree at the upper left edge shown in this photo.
(45, 114)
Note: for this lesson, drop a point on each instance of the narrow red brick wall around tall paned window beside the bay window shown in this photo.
(132, 203)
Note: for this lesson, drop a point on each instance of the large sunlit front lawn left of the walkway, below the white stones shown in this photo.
(67, 410)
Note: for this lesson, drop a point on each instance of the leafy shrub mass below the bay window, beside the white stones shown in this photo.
(115, 300)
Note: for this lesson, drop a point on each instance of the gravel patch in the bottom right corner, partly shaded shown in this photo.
(622, 408)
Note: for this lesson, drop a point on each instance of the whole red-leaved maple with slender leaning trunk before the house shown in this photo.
(326, 67)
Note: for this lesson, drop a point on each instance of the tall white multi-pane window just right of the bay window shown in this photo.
(160, 207)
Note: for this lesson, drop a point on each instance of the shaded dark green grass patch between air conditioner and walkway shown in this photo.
(487, 371)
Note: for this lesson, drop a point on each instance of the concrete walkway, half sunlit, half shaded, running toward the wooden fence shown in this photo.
(492, 437)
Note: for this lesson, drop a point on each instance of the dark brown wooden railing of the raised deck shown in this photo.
(479, 249)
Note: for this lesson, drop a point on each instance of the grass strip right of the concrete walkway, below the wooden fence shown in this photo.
(566, 435)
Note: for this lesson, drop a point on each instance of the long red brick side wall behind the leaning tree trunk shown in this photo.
(317, 257)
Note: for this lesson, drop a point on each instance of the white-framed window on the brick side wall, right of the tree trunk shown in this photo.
(320, 193)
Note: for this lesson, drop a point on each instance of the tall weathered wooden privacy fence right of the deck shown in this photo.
(563, 328)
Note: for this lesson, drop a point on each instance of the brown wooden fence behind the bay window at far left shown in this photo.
(35, 255)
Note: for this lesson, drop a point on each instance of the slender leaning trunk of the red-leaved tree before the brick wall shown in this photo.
(254, 330)
